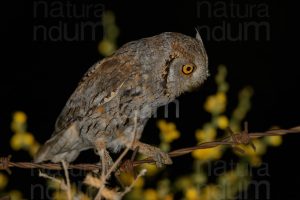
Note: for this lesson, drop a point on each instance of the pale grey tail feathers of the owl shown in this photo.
(62, 146)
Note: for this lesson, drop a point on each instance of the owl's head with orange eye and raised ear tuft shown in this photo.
(187, 65)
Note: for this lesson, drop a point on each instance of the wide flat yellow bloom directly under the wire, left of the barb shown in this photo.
(208, 154)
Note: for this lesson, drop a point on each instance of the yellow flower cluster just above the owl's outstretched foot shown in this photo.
(168, 131)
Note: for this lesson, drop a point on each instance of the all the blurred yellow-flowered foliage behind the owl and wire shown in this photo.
(193, 185)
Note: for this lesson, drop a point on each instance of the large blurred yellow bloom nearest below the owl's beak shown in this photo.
(216, 104)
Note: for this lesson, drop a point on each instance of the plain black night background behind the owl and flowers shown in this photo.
(38, 76)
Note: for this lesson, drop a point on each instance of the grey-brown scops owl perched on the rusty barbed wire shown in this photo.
(115, 98)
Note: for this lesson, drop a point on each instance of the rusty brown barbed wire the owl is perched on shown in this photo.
(234, 139)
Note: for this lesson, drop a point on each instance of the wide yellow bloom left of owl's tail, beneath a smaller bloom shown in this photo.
(21, 140)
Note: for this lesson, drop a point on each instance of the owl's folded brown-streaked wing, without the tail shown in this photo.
(98, 85)
